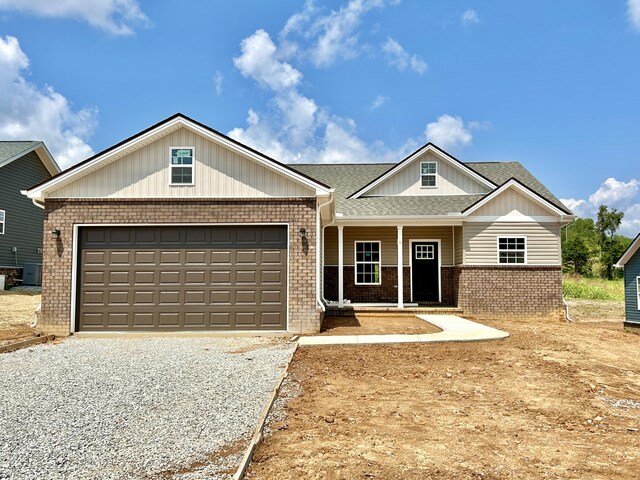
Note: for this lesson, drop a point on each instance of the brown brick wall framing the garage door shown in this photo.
(304, 316)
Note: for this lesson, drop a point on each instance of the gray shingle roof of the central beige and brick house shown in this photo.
(349, 178)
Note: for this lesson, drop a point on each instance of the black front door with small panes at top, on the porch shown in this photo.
(424, 272)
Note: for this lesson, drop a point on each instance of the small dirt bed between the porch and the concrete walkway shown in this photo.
(362, 325)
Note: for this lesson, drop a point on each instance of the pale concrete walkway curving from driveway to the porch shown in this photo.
(454, 329)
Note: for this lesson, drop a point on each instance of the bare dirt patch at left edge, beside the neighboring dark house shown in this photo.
(17, 311)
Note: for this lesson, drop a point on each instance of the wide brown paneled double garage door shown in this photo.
(190, 278)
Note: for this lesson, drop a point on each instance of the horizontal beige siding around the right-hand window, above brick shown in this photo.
(543, 241)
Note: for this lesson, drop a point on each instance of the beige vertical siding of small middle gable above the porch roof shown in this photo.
(450, 180)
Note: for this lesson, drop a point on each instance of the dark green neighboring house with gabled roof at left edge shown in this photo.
(22, 164)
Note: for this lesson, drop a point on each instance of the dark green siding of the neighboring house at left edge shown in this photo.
(23, 227)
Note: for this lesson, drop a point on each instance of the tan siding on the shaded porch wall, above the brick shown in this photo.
(388, 236)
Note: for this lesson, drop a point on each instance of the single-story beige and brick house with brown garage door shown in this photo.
(182, 227)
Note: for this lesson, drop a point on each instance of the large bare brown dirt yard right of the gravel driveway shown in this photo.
(554, 400)
